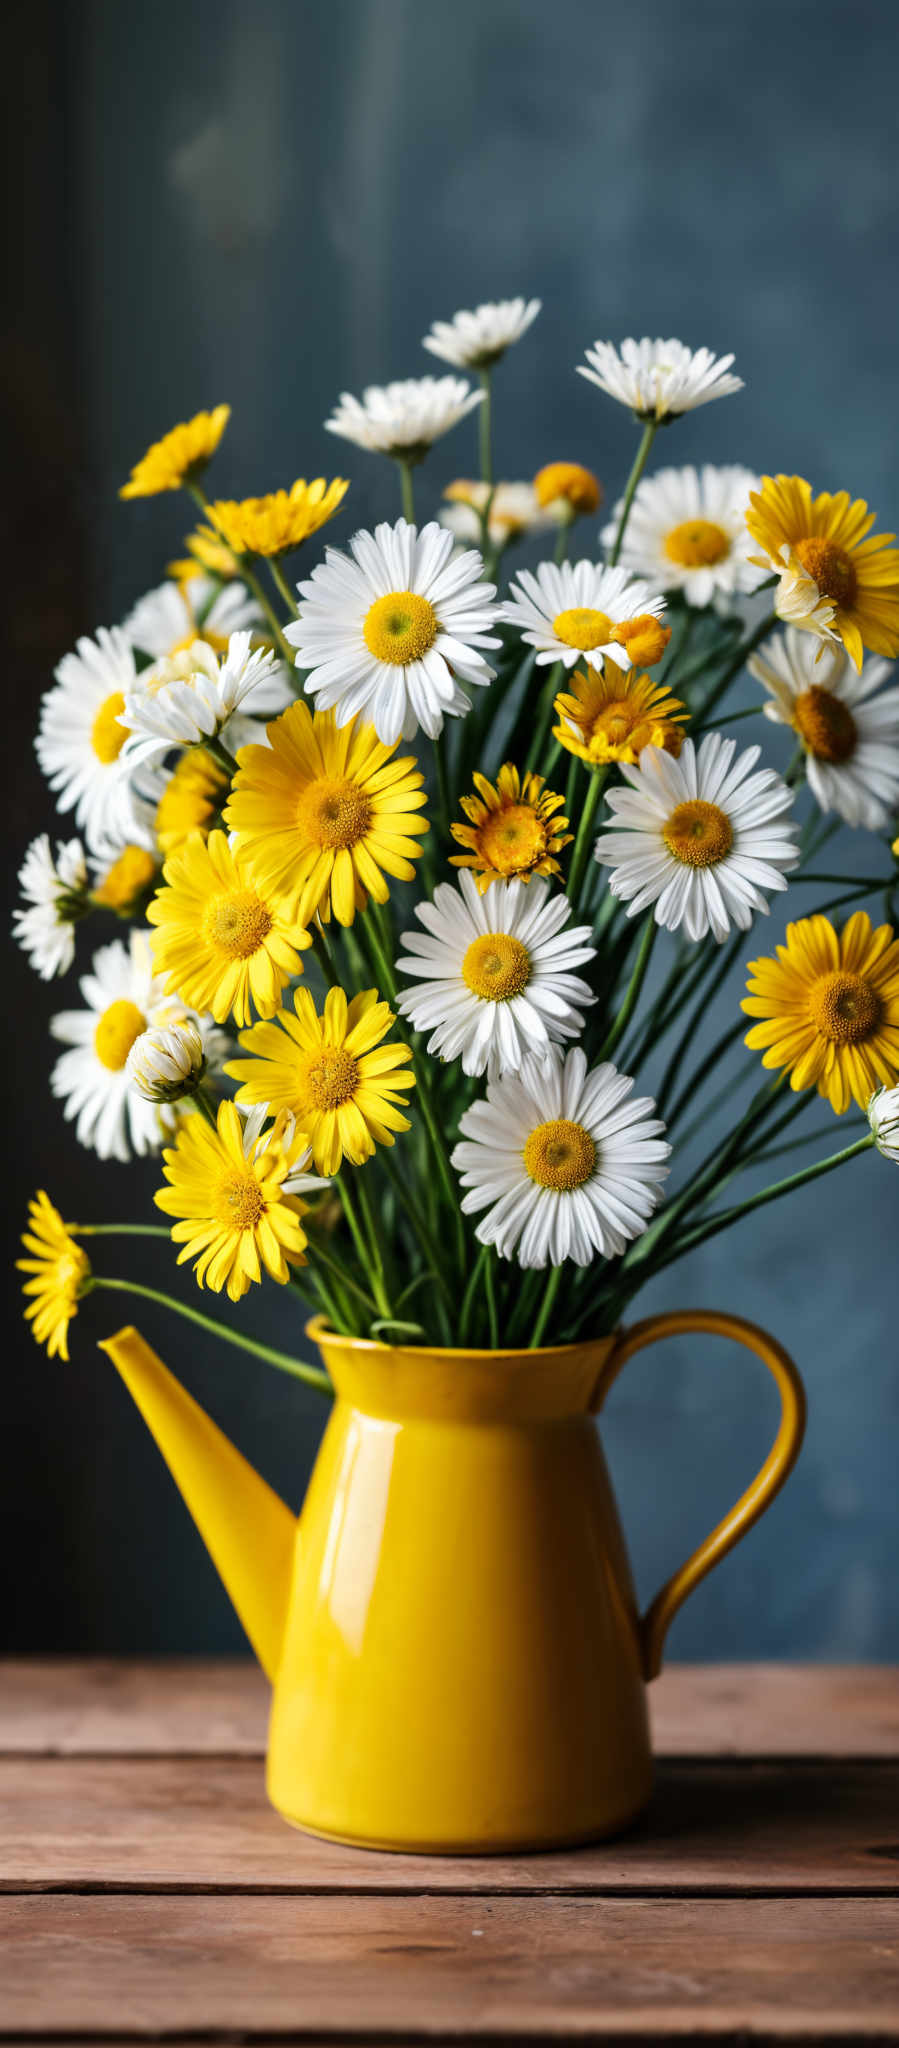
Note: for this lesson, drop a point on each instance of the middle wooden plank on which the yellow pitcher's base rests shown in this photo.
(206, 1824)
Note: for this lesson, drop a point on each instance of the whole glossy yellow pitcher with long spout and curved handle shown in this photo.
(452, 1627)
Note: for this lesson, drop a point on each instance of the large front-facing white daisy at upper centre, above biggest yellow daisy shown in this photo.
(394, 628)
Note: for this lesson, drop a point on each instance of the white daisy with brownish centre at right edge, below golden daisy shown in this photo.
(851, 736)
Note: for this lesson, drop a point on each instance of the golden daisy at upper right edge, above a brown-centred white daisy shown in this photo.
(834, 579)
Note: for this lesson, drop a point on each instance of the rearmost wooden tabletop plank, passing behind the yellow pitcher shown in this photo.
(196, 1707)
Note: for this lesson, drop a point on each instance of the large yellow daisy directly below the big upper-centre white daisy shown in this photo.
(327, 812)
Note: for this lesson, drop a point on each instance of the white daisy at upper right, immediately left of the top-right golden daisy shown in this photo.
(687, 531)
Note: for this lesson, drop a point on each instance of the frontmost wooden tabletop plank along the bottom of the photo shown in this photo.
(490, 1969)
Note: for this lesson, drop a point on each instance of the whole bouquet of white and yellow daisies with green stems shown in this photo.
(425, 857)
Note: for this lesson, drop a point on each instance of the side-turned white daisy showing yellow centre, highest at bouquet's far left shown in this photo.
(81, 736)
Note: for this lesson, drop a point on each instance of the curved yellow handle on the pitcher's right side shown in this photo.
(769, 1480)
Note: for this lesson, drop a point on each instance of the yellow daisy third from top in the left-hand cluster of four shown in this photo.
(333, 1072)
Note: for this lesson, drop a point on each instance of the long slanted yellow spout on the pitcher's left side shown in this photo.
(247, 1529)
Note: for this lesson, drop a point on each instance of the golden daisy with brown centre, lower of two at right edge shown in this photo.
(830, 1009)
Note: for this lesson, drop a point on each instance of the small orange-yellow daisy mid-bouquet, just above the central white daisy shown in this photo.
(513, 828)
